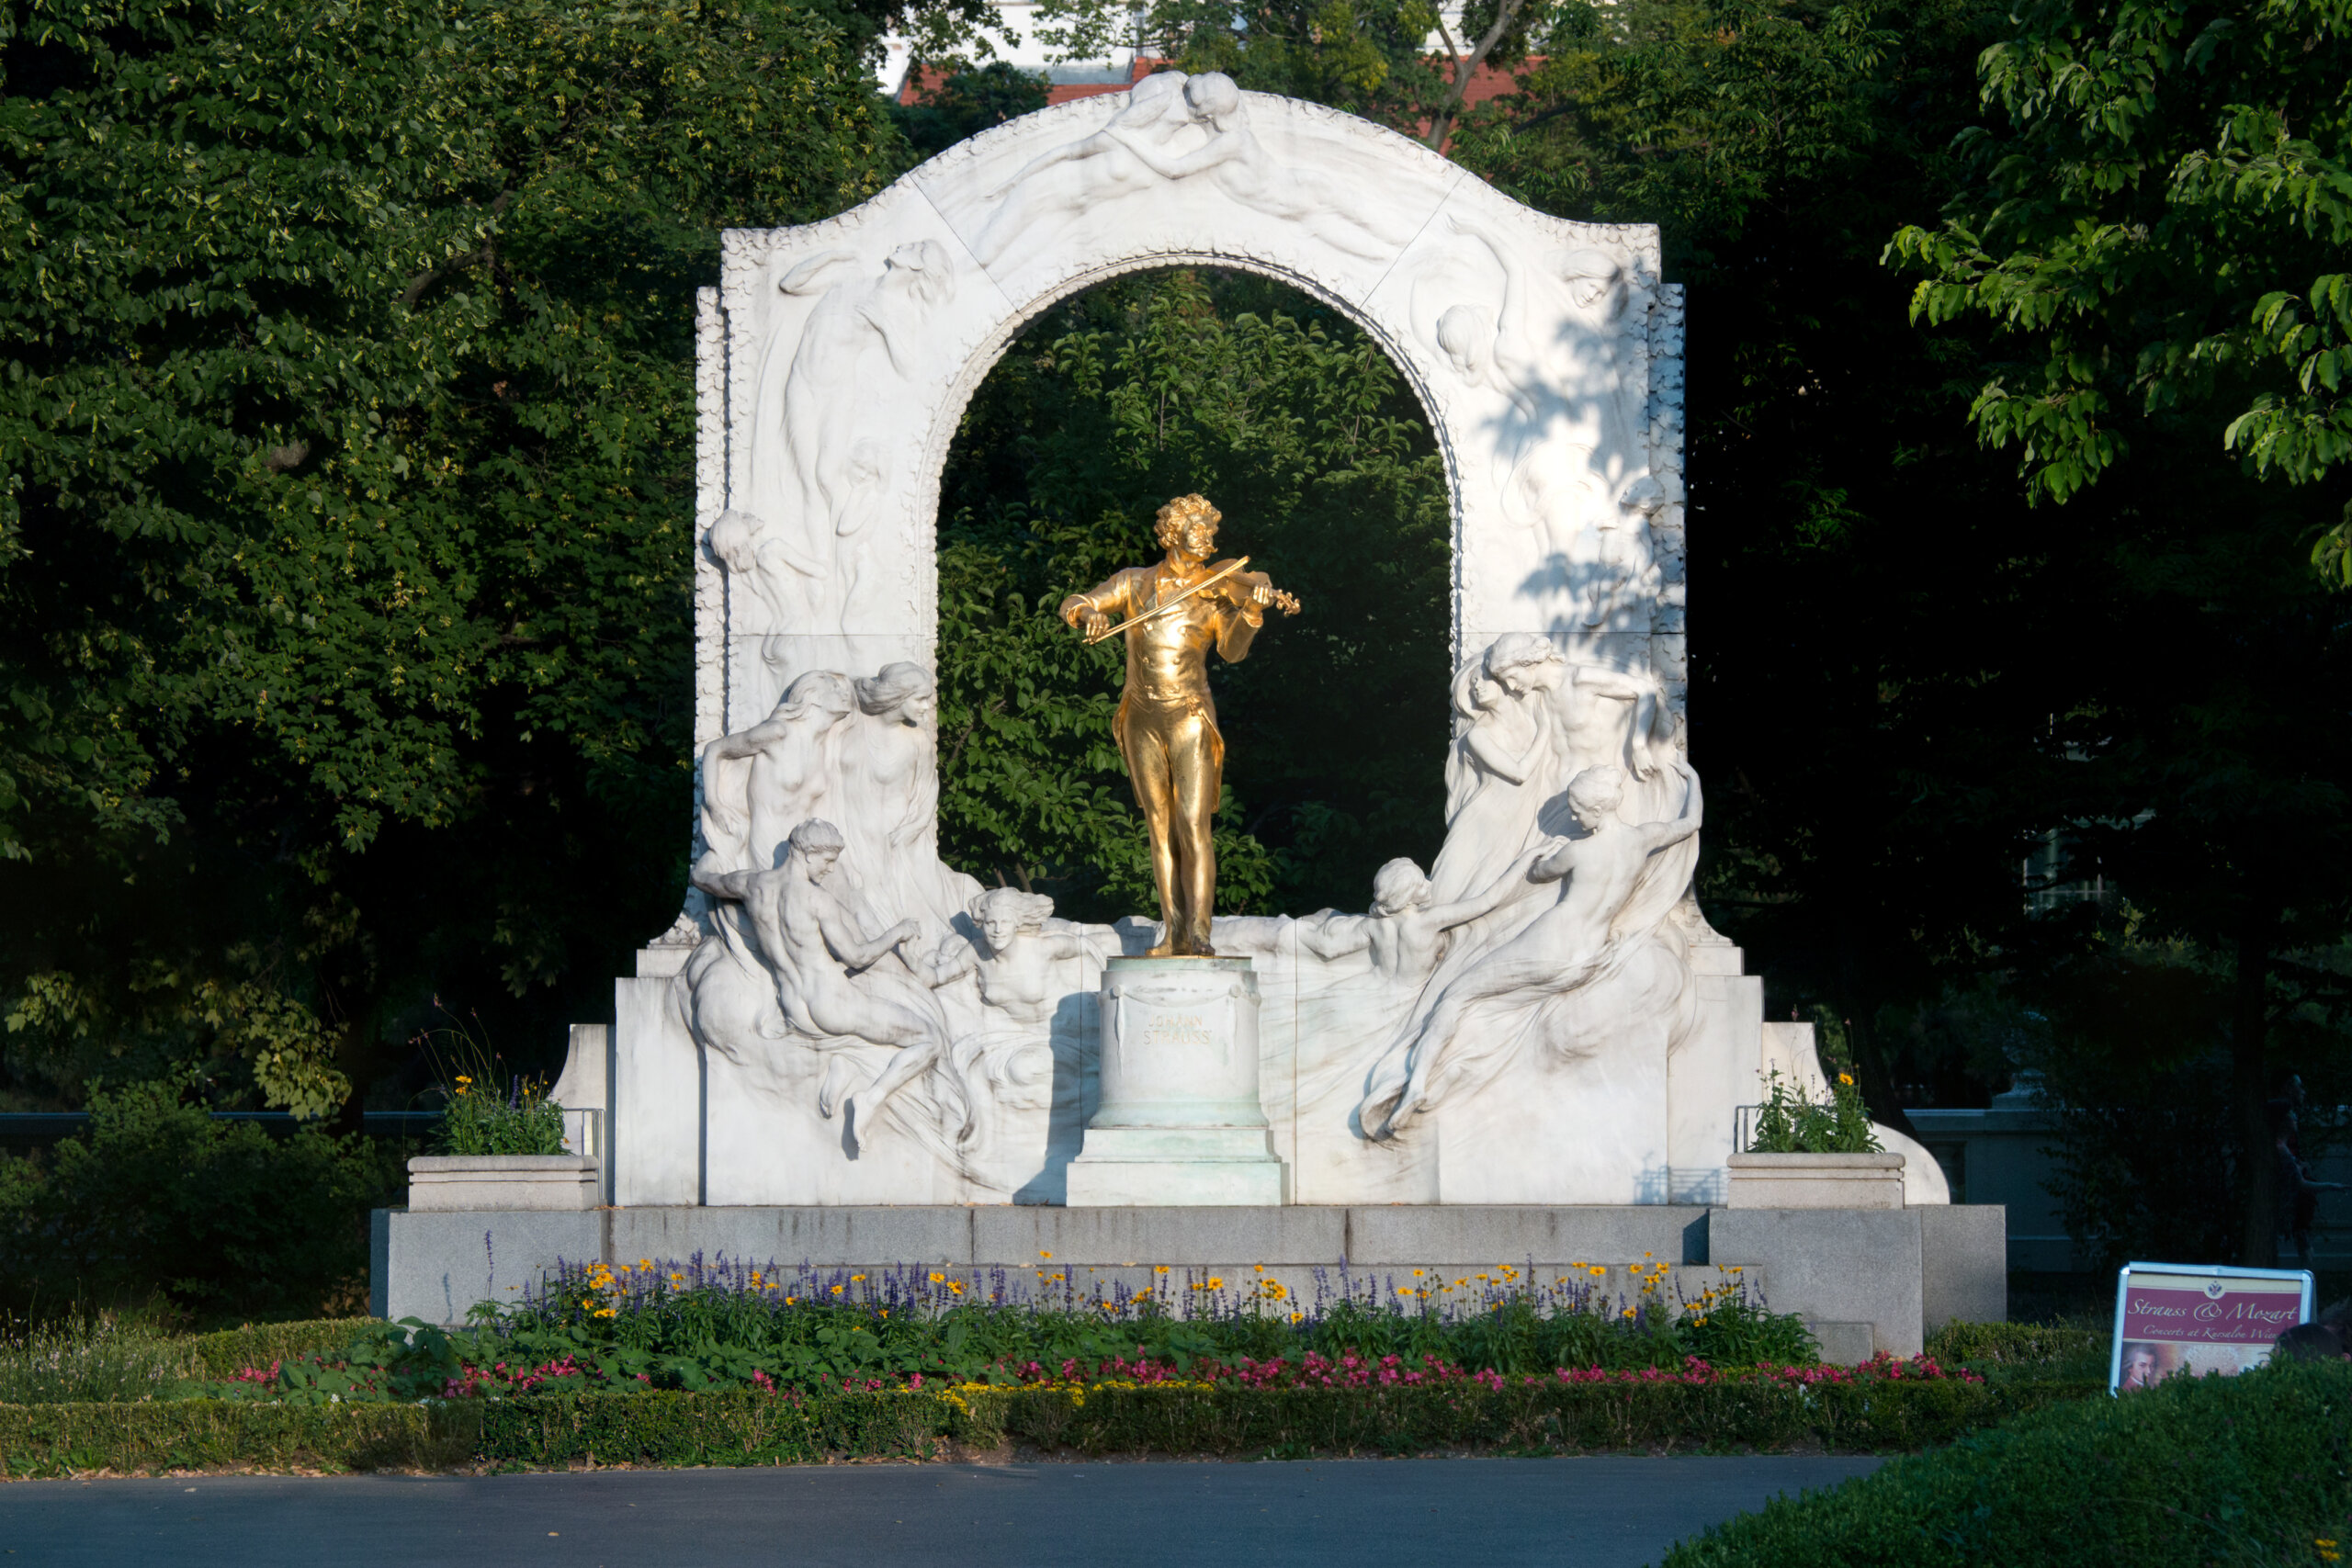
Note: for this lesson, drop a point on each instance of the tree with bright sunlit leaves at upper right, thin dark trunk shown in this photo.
(2158, 225)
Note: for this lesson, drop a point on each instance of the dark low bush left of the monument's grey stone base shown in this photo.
(159, 1198)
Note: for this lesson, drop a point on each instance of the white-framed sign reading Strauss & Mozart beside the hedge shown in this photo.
(2191, 1318)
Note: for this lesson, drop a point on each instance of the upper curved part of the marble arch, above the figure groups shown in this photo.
(836, 361)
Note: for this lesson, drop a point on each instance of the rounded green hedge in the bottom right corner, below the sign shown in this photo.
(2200, 1470)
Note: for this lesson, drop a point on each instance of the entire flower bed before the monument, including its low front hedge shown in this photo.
(733, 1365)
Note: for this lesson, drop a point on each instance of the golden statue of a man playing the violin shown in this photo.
(1168, 735)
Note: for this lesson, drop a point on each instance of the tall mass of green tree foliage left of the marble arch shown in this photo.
(345, 547)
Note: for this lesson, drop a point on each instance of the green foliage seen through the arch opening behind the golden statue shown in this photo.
(1299, 429)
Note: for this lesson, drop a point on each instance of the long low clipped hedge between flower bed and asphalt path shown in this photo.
(754, 1428)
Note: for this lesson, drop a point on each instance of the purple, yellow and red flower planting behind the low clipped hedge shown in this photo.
(693, 1327)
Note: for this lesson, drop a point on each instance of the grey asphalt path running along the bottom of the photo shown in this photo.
(1589, 1513)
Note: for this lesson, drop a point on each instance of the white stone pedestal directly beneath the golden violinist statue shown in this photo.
(1180, 1113)
